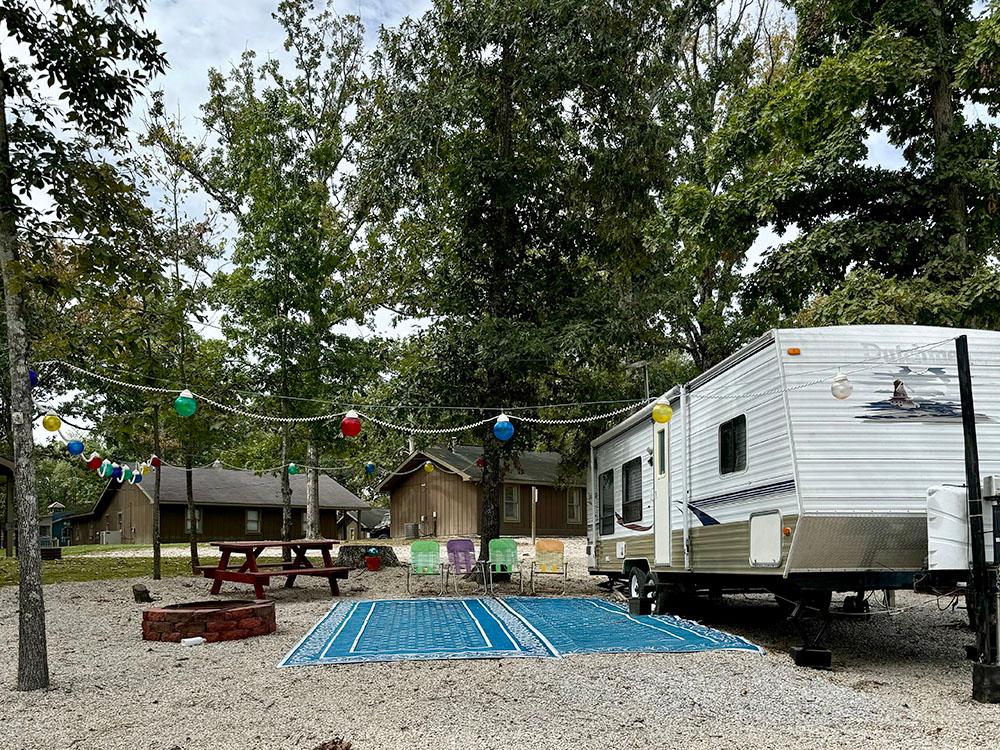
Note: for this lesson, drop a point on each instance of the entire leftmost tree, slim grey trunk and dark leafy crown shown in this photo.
(97, 59)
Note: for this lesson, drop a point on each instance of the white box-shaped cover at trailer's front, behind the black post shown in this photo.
(948, 546)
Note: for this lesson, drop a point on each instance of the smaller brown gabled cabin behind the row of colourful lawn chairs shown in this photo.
(448, 500)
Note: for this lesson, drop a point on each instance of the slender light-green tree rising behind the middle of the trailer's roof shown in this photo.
(705, 226)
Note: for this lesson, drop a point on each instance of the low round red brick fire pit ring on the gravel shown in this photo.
(214, 621)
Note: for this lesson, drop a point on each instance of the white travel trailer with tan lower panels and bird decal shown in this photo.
(763, 480)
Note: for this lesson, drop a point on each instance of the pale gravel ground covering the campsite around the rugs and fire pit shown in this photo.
(897, 681)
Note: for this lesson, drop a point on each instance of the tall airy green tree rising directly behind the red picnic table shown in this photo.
(282, 141)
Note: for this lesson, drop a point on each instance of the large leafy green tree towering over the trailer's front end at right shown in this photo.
(911, 72)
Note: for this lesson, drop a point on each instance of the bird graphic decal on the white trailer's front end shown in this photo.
(917, 395)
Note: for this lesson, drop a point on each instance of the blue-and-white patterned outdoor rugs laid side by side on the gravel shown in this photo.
(487, 628)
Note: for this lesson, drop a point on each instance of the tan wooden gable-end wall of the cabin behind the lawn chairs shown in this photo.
(456, 503)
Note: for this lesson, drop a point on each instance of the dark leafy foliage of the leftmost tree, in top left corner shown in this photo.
(93, 64)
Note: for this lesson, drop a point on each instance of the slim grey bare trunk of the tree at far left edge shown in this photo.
(33, 661)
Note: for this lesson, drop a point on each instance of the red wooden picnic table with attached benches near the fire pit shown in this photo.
(260, 574)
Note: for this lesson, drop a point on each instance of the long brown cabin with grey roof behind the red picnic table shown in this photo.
(229, 504)
